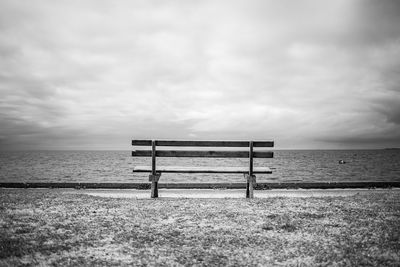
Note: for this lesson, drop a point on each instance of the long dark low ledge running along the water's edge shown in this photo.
(259, 186)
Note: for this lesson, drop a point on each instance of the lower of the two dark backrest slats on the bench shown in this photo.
(203, 154)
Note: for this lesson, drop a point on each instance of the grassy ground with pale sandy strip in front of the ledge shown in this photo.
(116, 227)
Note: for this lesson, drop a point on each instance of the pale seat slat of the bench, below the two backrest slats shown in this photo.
(181, 169)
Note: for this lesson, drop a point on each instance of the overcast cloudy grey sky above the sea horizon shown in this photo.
(308, 74)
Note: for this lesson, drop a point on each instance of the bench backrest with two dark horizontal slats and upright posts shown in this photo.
(153, 152)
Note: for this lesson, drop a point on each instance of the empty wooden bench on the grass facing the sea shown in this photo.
(155, 171)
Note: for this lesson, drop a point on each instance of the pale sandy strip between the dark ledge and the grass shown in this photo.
(227, 193)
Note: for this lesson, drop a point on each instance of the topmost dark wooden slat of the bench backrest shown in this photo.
(203, 143)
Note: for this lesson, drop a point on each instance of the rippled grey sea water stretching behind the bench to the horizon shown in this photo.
(117, 166)
